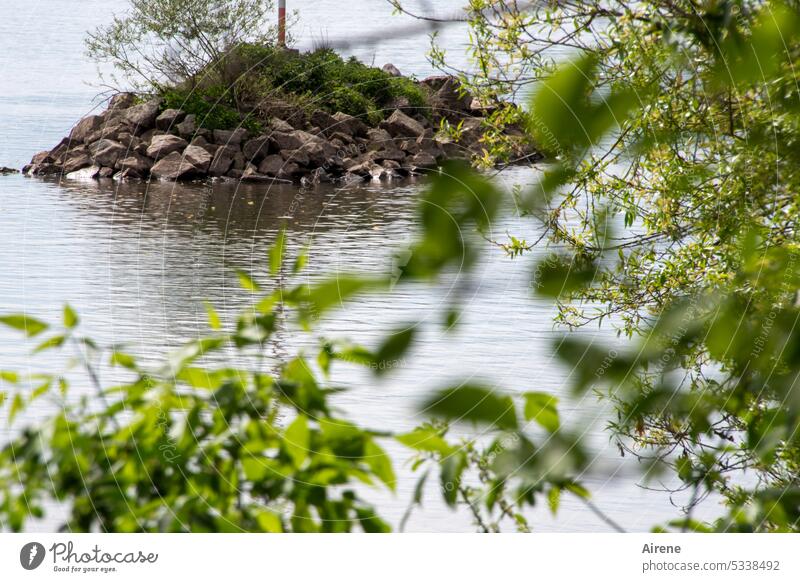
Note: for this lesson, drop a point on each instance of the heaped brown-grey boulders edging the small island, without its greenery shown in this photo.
(142, 141)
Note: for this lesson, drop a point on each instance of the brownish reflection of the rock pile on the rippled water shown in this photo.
(236, 210)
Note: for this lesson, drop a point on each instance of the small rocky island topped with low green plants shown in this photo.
(319, 118)
